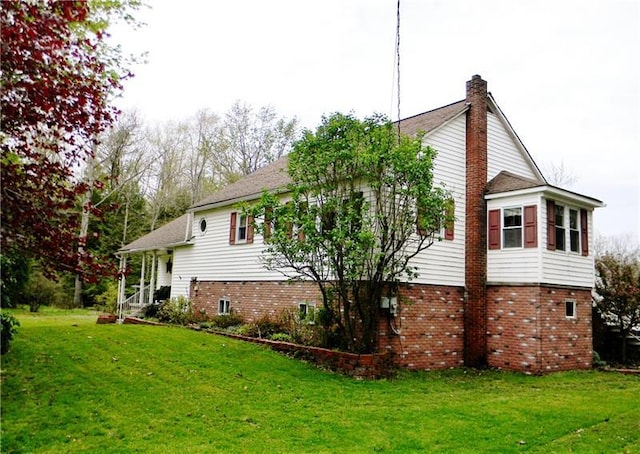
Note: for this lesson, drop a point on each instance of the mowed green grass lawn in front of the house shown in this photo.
(69, 385)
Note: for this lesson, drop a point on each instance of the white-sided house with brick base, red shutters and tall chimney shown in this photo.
(508, 287)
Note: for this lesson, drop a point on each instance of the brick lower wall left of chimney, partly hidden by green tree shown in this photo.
(431, 317)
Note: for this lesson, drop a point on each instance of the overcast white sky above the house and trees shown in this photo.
(566, 73)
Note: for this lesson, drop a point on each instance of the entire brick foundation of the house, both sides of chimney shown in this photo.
(527, 329)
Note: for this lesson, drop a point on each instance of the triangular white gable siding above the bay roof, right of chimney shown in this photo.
(503, 152)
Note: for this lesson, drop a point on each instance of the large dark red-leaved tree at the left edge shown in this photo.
(58, 76)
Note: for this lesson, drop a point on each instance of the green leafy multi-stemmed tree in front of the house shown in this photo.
(363, 204)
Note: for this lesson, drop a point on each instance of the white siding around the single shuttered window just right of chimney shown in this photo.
(515, 265)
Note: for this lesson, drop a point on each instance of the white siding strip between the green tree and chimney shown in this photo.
(443, 262)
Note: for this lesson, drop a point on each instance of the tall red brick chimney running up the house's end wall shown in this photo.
(475, 320)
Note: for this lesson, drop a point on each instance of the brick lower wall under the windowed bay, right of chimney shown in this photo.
(528, 331)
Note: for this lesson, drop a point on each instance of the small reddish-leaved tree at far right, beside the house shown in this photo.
(618, 290)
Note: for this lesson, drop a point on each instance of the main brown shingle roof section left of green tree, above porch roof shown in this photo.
(270, 177)
